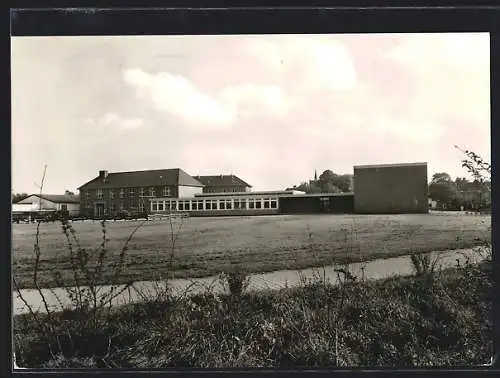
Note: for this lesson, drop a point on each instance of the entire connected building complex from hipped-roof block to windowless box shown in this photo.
(392, 188)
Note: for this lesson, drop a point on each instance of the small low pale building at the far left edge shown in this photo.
(48, 202)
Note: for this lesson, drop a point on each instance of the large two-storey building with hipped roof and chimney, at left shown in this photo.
(130, 192)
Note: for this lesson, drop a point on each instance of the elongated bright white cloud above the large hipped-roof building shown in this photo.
(174, 94)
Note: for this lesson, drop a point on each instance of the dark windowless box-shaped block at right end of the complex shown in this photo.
(391, 189)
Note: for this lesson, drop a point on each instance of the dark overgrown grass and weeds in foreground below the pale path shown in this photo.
(432, 319)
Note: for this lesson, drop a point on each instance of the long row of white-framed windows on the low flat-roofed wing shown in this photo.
(221, 204)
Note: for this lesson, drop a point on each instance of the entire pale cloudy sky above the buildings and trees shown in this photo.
(270, 109)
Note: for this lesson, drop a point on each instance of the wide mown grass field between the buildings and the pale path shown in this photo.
(207, 246)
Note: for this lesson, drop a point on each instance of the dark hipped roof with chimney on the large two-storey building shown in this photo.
(158, 177)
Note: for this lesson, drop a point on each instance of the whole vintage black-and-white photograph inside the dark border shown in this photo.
(251, 201)
